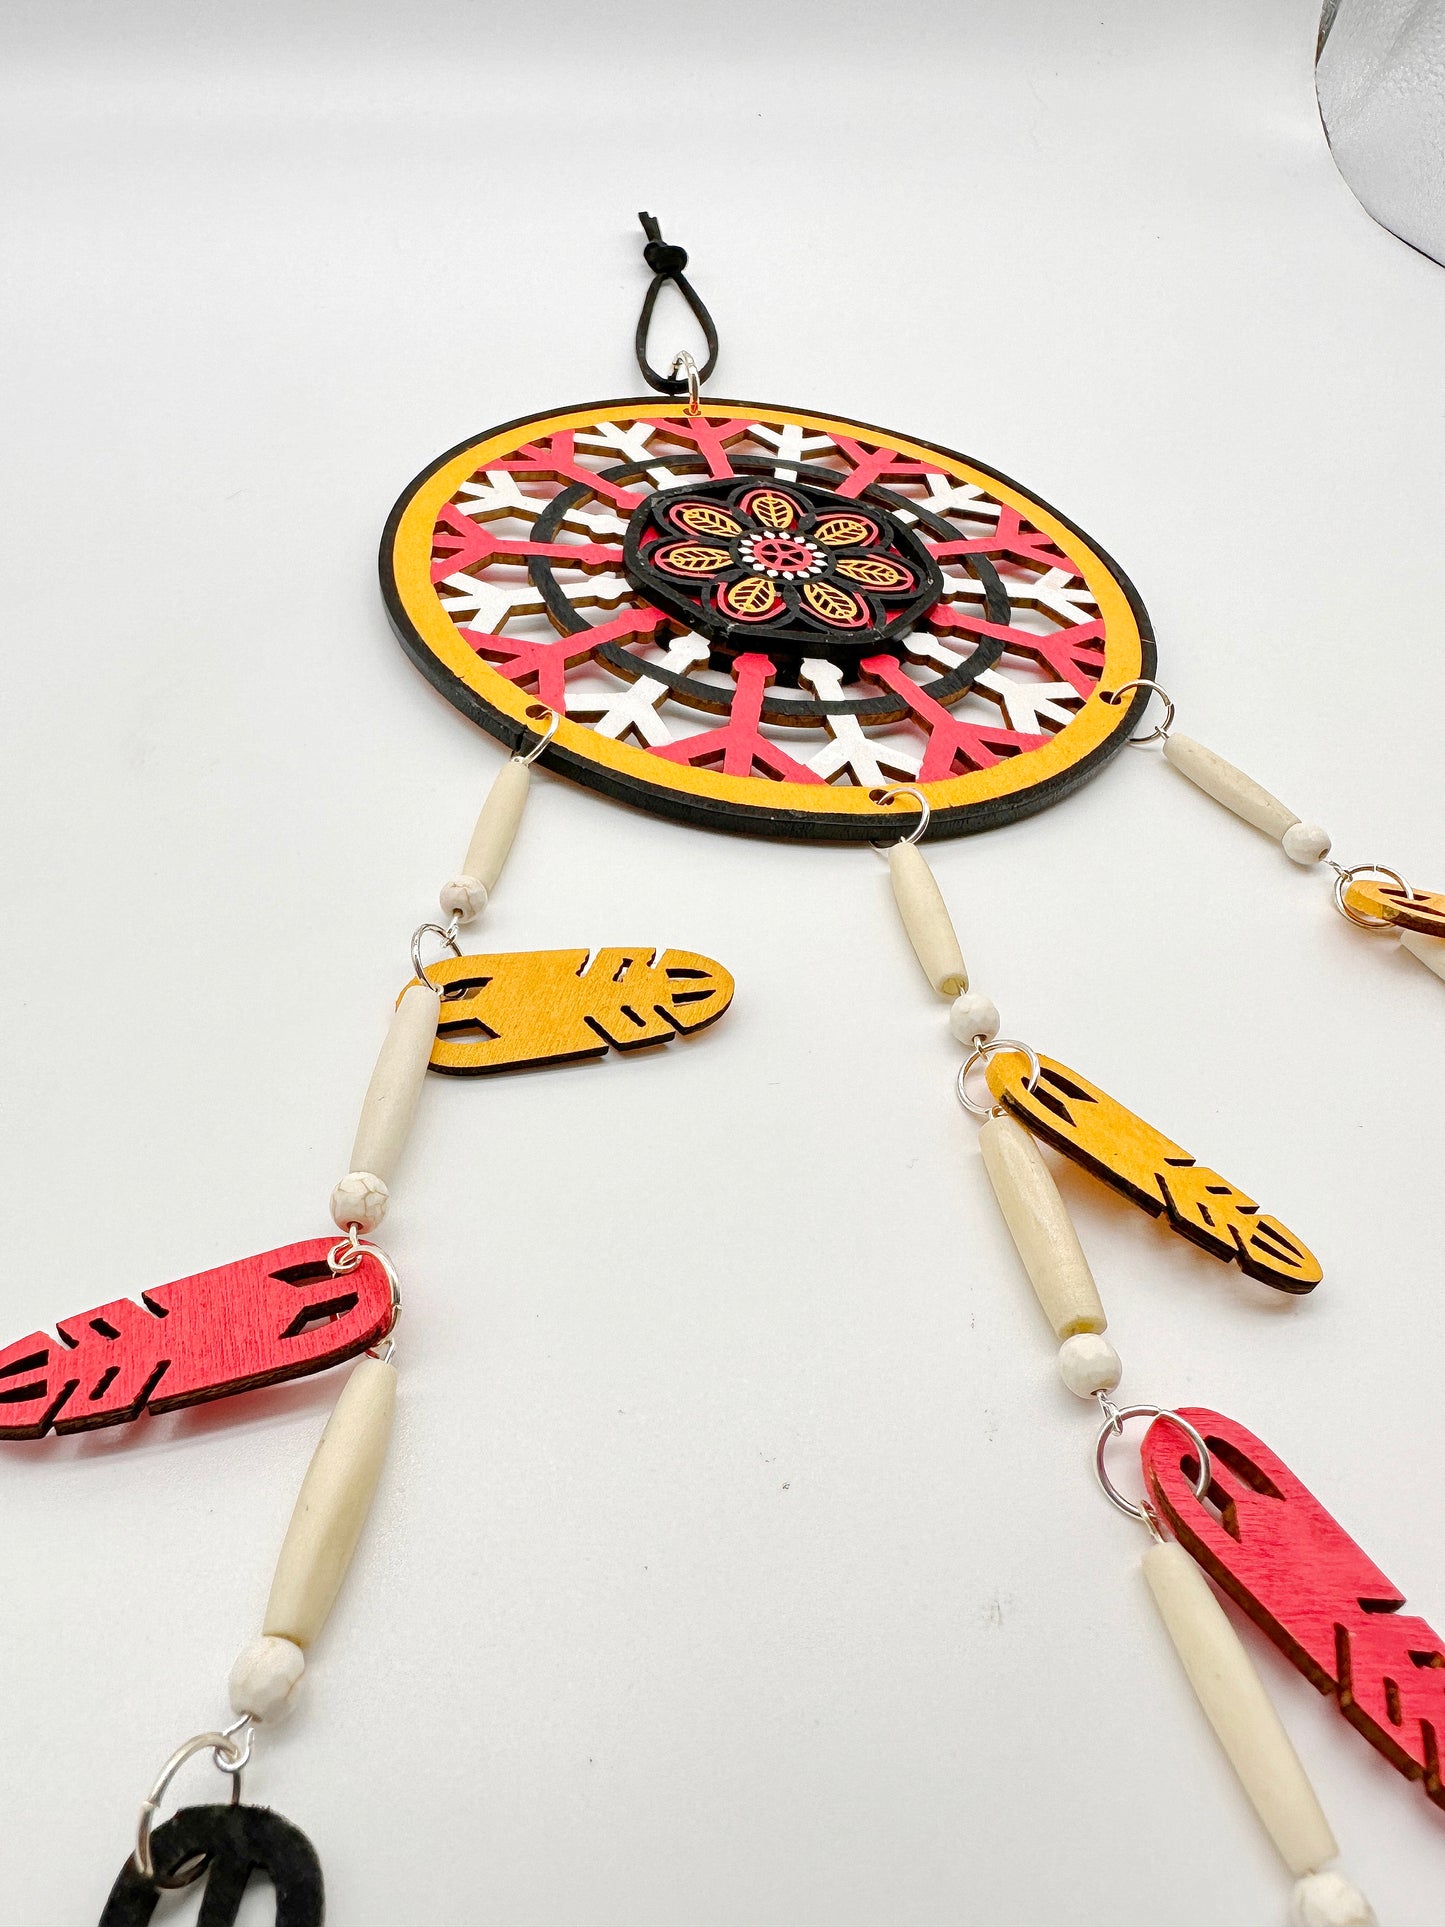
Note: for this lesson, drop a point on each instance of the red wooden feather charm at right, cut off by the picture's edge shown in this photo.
(1263, 1537)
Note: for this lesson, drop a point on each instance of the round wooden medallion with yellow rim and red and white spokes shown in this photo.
(756, 620)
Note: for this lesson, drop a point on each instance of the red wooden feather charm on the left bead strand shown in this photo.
(278, 1315)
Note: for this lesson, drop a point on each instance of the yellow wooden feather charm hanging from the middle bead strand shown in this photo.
(1088, 1126)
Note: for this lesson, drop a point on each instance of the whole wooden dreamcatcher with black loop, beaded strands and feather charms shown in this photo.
(777, 623)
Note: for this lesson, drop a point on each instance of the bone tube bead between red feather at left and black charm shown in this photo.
(332, 1506)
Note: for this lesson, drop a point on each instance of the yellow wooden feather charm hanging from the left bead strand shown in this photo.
(521, 1009)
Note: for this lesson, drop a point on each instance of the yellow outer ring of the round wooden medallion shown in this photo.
(1128, 648)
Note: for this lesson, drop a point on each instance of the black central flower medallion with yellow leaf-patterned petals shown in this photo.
(785, 569)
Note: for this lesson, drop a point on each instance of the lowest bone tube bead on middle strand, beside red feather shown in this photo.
(1240, 1710)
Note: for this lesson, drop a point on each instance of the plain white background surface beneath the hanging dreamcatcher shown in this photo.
(739, 1562)
